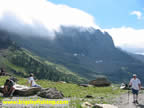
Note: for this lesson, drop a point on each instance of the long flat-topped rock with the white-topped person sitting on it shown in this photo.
(21, 90)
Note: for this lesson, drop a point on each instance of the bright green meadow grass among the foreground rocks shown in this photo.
(77, 93)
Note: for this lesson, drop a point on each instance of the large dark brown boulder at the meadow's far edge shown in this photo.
(100, 82)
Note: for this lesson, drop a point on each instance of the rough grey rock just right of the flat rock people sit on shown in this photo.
(50, 93)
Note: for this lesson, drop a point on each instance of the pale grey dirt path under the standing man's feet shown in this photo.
(123, 102)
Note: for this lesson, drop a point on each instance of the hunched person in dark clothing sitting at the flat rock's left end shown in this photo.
(9, 87)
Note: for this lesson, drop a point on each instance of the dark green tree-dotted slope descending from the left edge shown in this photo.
(21, 62)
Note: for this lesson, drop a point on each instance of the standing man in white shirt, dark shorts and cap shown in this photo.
(136, 86)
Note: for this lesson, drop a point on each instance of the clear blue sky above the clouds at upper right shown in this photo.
(110, 13)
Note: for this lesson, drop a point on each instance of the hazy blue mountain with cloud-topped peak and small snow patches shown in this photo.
(86, 51)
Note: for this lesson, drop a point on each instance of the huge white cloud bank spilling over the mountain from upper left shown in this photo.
(40, 17)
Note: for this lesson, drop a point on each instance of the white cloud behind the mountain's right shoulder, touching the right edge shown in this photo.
(127, 37)
